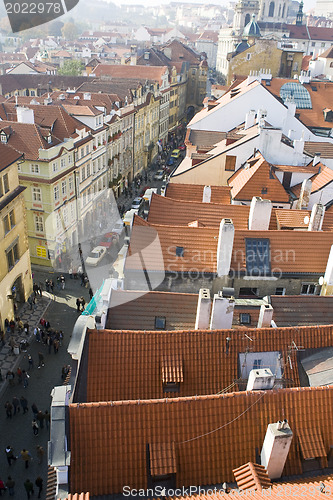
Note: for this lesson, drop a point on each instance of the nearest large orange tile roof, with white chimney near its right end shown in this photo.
(212, 435)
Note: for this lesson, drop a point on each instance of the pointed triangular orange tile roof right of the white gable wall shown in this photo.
(257, 180)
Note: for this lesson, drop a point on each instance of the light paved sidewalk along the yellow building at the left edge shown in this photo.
(9, 360)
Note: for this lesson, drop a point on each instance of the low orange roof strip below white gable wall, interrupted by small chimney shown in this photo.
(194, 192)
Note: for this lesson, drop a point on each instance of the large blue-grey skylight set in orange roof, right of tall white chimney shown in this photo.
(257, 256)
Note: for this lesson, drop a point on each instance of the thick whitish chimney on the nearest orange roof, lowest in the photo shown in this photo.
(275, 448)
